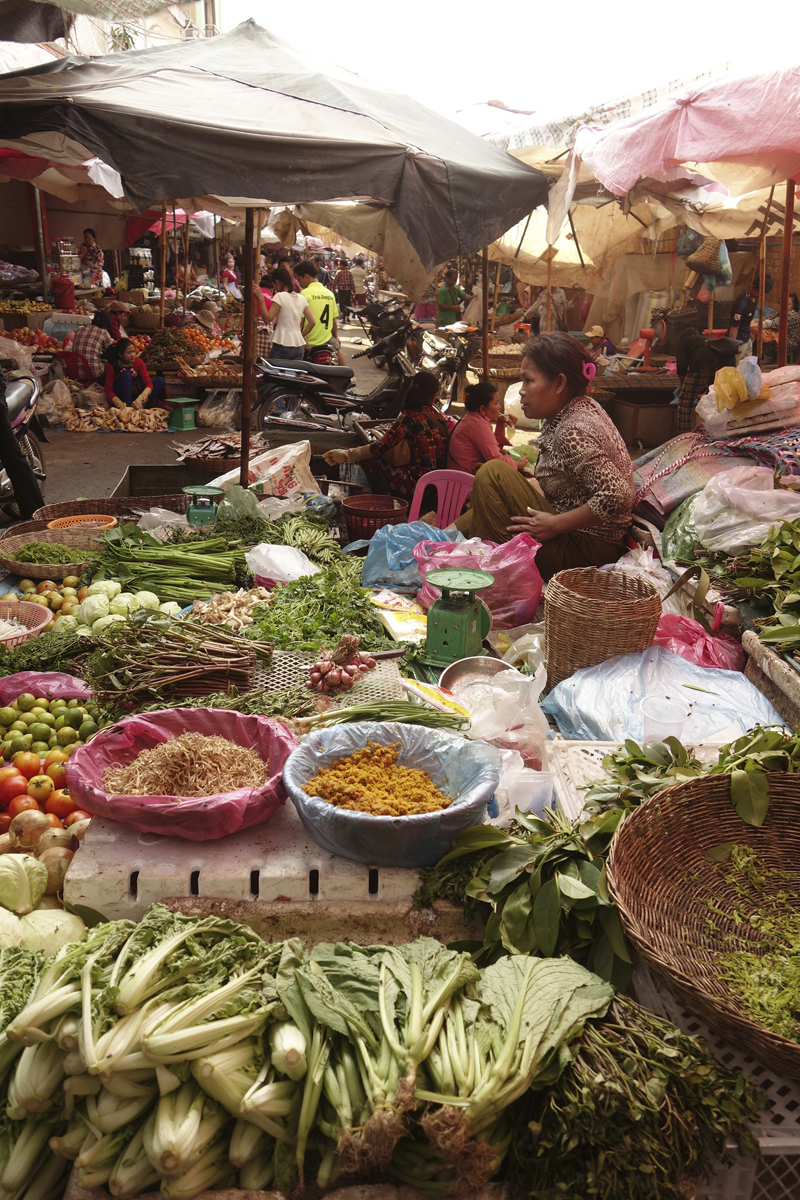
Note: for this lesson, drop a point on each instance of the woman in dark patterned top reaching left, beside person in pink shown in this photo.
(416, 445)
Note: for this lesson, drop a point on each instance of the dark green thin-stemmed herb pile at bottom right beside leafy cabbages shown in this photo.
(640, 1109)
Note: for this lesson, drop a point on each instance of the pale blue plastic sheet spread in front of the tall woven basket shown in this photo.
(604, 704)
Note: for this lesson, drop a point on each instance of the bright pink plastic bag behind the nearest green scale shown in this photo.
(514, 597)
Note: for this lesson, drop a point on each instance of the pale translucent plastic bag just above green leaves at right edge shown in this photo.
(737, 509)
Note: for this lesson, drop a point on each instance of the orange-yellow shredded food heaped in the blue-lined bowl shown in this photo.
(371, 782)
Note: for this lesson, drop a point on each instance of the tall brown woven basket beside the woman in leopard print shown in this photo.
(591, 616)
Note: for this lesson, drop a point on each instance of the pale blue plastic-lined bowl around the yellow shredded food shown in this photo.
(468, 772)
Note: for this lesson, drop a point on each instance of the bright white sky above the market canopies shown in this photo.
(551, 57)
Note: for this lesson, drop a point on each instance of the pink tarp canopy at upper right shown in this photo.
(739, 131)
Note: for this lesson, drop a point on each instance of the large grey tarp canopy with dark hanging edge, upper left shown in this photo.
(246, 116)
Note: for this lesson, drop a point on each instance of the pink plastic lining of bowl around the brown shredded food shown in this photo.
(200, 819)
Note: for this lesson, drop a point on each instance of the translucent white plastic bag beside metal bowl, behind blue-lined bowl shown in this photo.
(508, 716)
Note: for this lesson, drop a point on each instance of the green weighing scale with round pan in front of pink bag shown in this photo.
(459, 621)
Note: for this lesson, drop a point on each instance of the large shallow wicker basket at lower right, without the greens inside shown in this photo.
(673, 903)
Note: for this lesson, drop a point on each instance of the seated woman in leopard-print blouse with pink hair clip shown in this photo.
(580, 502)
